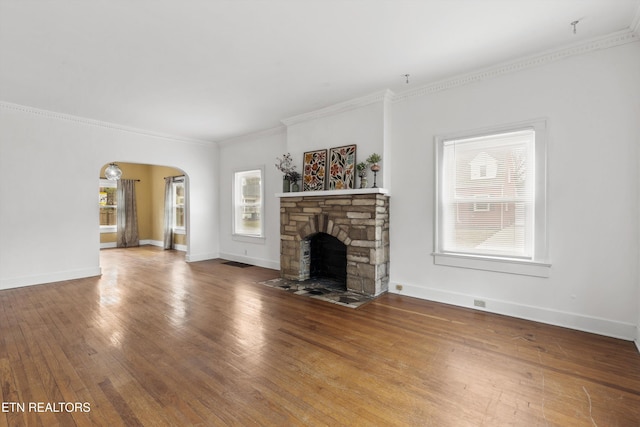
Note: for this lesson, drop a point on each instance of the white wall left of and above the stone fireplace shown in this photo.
(361, 124)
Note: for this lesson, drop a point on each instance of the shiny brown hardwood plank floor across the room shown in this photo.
(156, 341)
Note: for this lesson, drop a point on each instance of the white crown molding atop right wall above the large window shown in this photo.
(604, 42)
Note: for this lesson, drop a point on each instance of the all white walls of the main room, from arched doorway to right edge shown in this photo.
(591, 101)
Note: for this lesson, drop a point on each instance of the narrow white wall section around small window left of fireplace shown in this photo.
(252, 151)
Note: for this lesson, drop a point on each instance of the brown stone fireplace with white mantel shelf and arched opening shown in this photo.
(343, 234)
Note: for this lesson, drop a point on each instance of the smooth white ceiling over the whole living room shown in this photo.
(214, 69)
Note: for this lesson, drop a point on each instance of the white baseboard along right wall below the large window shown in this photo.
(611, 328)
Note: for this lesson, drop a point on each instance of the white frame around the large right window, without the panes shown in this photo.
(538, 265)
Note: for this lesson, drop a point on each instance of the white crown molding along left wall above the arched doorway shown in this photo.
(96, 123)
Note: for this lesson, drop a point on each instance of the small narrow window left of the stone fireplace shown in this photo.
(248, 203)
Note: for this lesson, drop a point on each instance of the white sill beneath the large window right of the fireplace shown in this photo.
(525, 268)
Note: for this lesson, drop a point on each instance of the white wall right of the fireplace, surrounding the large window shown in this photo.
(591, 102)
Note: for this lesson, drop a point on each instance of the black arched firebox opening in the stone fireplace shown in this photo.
(328, 258)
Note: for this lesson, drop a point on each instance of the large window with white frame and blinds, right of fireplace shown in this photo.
(491, 199)
